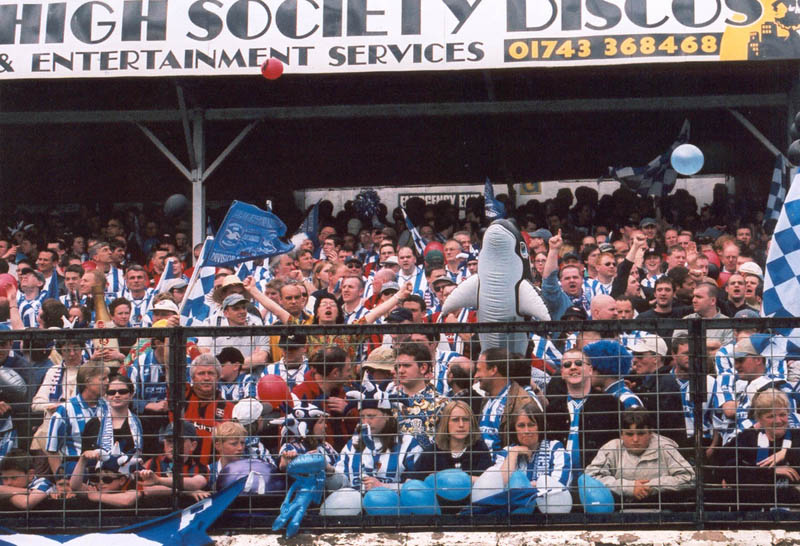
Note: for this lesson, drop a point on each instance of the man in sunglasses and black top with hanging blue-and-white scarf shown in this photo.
(582, 419)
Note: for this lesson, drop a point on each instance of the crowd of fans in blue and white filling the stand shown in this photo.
(93, 422)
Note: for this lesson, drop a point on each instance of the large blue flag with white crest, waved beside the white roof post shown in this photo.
(247, 233)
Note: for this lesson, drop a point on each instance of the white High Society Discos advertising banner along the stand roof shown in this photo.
(116, 38)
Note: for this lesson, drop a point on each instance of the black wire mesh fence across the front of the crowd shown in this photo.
(598, 423)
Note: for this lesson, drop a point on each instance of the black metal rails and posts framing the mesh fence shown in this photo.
(706, 506)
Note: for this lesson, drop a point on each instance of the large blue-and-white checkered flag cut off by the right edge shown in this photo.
(782, 273)
